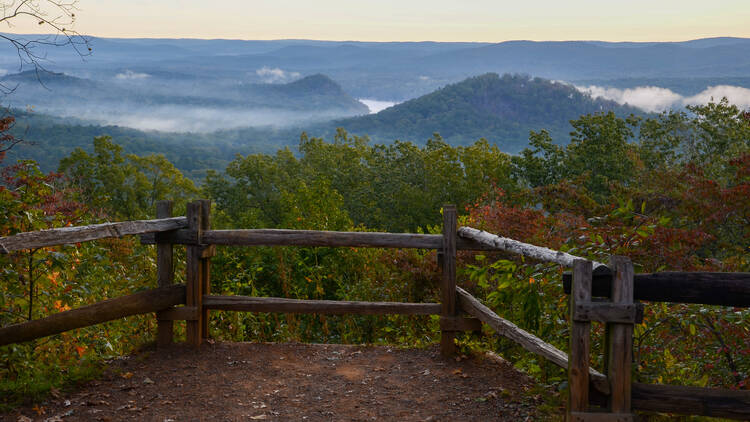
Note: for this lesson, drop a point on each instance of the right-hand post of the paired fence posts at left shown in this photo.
(193, 278)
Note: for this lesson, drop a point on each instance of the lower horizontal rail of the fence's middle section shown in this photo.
(333, 307)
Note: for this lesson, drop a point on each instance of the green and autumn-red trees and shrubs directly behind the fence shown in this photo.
(669, 191)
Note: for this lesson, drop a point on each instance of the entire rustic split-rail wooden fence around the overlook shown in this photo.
(614, 393)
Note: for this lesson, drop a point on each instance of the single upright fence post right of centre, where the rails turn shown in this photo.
(448, 286)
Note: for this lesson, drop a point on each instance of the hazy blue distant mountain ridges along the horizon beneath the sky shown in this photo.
(397, 71)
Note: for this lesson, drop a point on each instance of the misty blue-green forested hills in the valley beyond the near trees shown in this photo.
(502, 110)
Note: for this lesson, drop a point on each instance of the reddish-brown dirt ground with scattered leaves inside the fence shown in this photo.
(295, 382)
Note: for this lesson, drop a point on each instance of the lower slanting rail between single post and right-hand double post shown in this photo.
(528, 341)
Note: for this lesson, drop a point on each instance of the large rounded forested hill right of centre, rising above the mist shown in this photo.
(502, 109)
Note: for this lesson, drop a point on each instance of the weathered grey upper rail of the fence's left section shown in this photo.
(66, 235)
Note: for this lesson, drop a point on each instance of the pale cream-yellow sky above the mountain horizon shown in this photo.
(412, 20)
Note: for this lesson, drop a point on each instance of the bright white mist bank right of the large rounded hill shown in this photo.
(656, 99)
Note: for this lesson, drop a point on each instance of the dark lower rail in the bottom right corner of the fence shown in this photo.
(714, 402)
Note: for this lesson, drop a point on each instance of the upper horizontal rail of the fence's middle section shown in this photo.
(313, 238)
